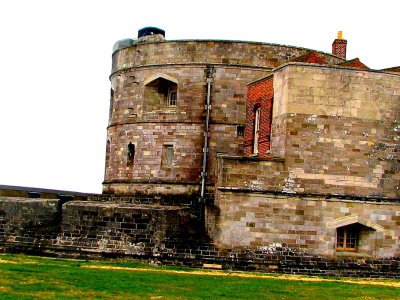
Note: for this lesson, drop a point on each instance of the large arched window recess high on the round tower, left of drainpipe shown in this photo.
(160, 91)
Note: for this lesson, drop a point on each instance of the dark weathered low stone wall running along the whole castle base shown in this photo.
(163, 234)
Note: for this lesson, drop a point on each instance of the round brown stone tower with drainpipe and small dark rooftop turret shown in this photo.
(175, 105)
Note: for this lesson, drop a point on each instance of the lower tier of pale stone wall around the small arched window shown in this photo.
(305, 222)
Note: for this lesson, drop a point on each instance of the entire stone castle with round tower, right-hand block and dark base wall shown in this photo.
(286, 158)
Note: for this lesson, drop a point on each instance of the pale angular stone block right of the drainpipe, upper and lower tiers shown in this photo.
(334, 158)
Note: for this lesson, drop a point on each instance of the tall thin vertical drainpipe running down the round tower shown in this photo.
(209, 75)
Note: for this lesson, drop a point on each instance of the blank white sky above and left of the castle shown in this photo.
(55, 59)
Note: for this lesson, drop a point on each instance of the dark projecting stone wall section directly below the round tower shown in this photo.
(139, 229)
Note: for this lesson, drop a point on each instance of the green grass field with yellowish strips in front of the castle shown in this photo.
(29, 277)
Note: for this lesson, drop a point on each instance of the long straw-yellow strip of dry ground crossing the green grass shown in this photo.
(379, 282)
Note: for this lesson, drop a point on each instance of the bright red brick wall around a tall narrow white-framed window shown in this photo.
(259, 94)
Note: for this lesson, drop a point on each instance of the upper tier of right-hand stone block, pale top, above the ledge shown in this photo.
(338, 129)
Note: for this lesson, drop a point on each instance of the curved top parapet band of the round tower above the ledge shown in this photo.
(209, 51)
